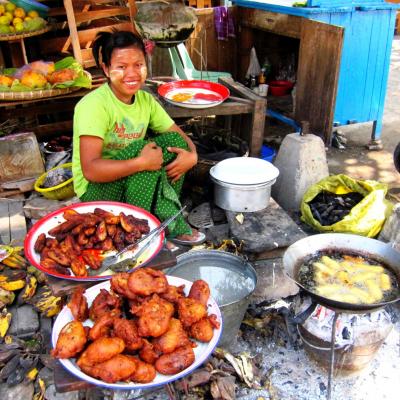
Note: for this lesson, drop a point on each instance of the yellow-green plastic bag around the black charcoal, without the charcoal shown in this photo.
(366, 218)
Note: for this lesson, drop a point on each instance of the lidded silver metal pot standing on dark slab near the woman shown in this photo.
(243, 184)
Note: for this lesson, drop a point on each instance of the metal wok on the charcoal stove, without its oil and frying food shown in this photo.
(375, 249)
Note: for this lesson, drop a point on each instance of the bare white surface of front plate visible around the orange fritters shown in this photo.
(202, 351)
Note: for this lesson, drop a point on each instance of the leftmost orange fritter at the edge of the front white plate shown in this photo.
(71, 340)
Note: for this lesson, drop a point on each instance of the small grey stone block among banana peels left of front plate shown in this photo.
(24, 322)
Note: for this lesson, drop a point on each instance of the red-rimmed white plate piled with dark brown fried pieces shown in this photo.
(72, 242)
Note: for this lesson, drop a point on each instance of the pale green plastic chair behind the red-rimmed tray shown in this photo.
(183, 67)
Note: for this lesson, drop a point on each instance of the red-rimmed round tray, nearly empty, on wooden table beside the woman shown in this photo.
(194, 93)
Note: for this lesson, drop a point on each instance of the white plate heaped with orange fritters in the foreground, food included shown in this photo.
(137, 330)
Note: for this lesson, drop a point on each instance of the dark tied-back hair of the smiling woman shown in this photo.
(106, 42)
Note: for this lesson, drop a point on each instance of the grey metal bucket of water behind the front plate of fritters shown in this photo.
(232, 280)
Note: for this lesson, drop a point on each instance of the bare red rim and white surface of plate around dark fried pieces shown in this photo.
(56, 217)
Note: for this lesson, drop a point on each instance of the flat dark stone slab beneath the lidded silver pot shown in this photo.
(265, 230)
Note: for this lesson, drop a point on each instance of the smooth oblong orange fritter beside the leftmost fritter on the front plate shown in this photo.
(101, 350)
